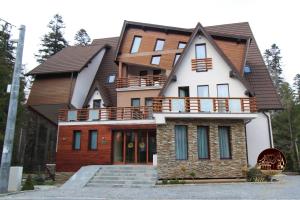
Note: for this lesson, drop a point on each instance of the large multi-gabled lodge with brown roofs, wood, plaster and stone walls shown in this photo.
(174, 97)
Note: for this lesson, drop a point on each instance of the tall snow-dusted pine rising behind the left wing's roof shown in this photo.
(53, 41)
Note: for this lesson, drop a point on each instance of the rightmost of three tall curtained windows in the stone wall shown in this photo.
(224, 142)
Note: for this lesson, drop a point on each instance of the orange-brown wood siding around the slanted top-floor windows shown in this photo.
(146, 49)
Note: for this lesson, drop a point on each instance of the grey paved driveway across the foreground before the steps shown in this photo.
(288, 188)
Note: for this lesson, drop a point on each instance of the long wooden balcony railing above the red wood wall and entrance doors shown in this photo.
(102, 114)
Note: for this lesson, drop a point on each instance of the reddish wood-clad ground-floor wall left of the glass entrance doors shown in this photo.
(68, 159)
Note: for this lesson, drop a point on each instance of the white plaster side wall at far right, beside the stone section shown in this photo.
(257, 137)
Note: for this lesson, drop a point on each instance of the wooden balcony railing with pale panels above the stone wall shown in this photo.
(204, 105)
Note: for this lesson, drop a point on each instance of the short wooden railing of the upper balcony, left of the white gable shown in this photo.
(141, 81)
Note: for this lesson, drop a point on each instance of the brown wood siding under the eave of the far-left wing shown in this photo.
(50, 90)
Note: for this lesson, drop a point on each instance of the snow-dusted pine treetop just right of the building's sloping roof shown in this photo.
(273, 61)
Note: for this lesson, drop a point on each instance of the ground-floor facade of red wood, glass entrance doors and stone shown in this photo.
(206, 148)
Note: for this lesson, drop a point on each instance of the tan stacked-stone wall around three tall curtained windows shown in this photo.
(169, 168)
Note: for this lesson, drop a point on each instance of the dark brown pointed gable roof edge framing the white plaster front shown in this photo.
(200, 28)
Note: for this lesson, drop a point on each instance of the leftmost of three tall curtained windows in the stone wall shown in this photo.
(181, 143)
